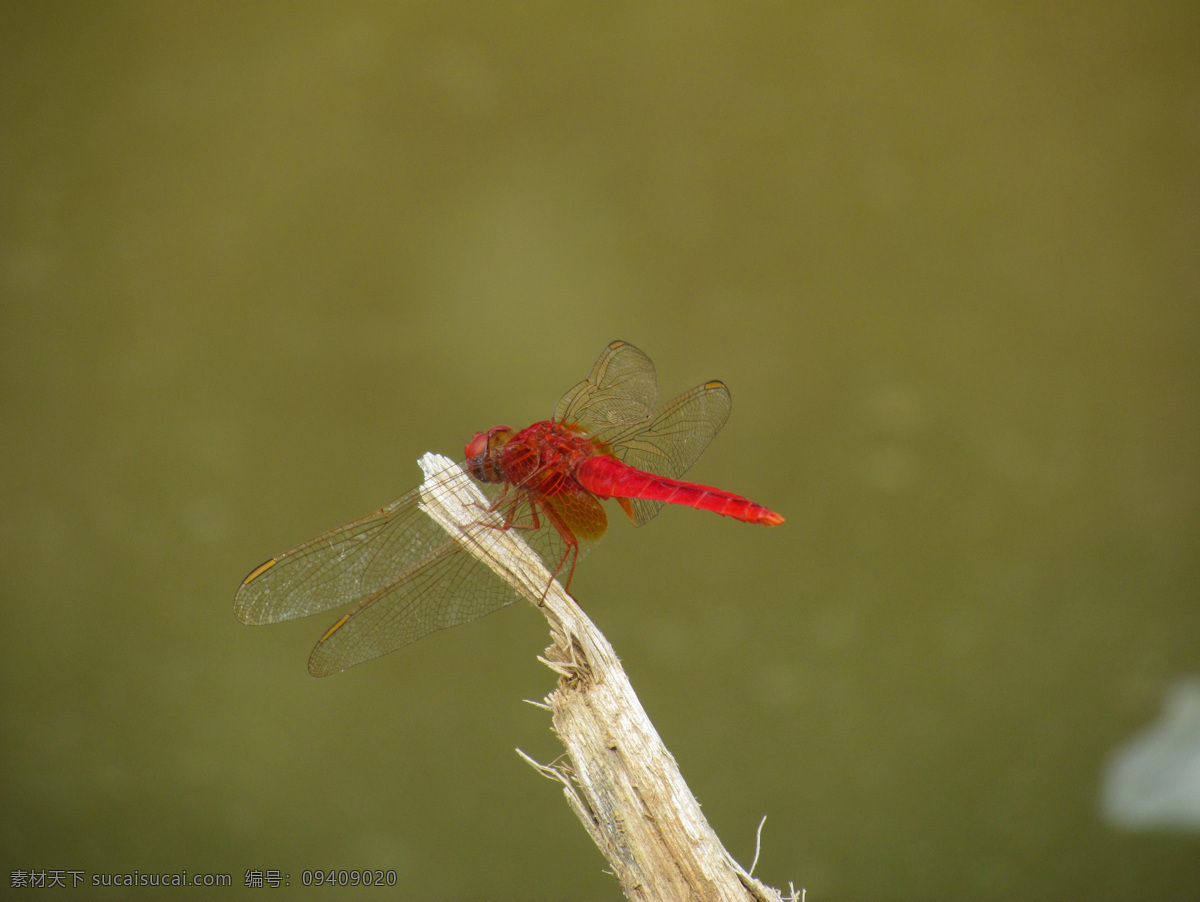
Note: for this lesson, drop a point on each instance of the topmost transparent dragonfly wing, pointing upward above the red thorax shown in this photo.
(621, 389)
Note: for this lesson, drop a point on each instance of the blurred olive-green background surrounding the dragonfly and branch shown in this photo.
(257, 258)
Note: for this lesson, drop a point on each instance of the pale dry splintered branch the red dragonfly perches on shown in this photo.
(619, 778)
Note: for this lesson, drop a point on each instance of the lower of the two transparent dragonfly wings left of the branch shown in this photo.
(448, 590)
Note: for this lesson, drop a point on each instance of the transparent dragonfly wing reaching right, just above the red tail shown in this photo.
(669, 443)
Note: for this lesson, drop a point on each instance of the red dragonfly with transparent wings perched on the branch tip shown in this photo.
(409, 578)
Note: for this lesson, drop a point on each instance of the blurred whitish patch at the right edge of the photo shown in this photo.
(1154, 781)
